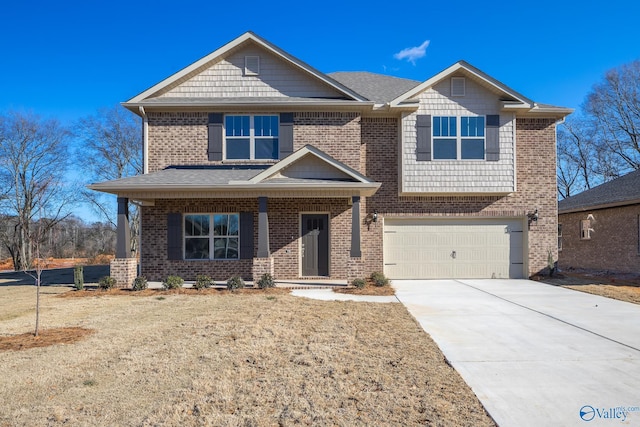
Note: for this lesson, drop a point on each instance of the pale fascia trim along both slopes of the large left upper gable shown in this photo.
(231, 45)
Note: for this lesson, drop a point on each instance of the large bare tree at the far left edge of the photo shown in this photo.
(33, 163)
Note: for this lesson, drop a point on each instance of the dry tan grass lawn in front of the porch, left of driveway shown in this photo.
(222, 359)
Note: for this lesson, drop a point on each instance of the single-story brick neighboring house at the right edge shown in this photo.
(599, 229)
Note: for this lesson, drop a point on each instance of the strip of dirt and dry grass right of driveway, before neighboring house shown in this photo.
(623, 287)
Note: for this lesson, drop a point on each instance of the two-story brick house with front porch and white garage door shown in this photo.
(256, 162)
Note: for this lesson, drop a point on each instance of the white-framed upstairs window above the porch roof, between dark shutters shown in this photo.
(251, 137)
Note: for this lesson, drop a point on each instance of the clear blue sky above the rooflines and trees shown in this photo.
(66, 59)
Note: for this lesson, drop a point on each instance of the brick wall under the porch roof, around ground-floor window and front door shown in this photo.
(284, 224)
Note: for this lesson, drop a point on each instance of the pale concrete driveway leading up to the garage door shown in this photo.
(535, 354)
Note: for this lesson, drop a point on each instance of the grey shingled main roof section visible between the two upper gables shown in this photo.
(375, 87)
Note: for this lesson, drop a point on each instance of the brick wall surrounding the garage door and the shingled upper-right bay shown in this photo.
(536, 188)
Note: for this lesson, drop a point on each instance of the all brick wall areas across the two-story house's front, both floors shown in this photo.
(369, 145)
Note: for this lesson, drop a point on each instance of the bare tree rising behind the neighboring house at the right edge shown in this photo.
(614, 106)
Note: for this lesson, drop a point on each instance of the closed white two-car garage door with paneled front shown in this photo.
(453, 248)
